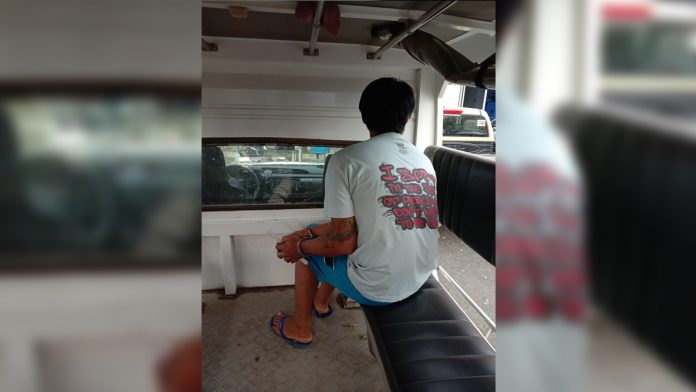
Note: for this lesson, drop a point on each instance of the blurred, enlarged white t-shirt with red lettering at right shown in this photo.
(542, 354)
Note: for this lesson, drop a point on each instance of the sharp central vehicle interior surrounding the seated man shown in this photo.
(280, 95)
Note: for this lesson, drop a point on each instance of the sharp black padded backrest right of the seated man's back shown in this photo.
(466, 197)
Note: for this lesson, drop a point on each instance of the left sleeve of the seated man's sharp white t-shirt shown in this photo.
(338, 202)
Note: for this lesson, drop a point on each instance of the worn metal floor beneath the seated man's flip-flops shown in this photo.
(240, 353)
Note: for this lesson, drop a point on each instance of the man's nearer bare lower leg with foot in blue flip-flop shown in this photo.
(299, 327)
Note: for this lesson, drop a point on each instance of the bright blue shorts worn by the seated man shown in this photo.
(335, 273)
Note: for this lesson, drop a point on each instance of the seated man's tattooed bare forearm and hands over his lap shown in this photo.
(341, 238)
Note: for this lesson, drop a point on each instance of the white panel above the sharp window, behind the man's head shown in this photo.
(319, 108)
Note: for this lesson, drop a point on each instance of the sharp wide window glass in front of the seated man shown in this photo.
(239, 175)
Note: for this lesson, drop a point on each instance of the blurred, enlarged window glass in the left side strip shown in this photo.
(108, 178)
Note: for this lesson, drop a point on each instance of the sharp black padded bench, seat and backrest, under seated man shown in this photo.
(425, 343)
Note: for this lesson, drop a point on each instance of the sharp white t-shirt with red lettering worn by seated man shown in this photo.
(390, 188)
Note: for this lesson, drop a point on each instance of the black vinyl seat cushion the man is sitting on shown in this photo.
(426, 344)
